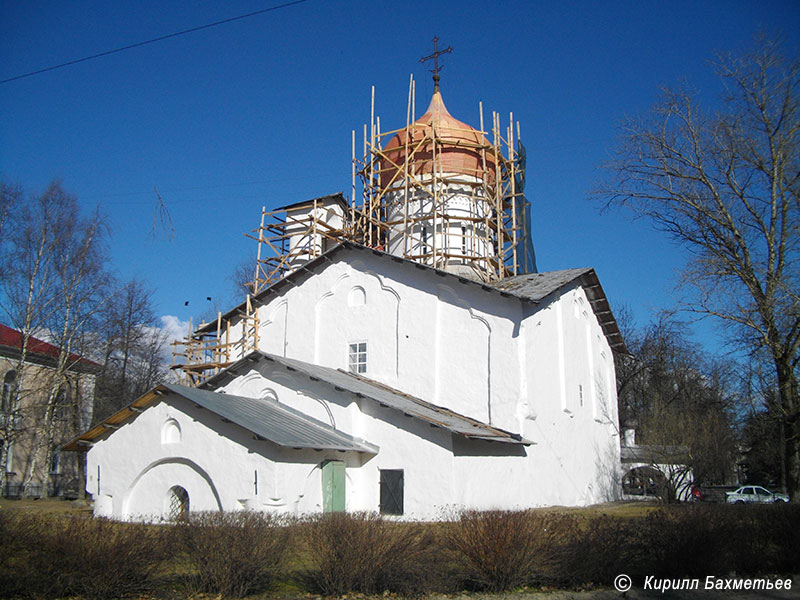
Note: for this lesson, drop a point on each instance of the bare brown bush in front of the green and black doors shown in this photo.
(362, 552)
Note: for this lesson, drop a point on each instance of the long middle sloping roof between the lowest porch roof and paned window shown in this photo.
(361, 387)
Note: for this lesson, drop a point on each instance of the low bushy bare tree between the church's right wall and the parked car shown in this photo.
(681, 404)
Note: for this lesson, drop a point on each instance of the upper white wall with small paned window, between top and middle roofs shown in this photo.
(421, 330)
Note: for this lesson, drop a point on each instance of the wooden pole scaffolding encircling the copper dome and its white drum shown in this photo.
(495, 185)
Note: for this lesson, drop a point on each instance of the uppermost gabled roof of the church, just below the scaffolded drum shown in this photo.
(531, 288)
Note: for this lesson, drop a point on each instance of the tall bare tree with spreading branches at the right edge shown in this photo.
(726, 185)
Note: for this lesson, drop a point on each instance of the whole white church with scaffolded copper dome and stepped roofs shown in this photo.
(399, 354)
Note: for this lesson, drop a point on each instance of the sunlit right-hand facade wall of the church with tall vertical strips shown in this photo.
(578, 445)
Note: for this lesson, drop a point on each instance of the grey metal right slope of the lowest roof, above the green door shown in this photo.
(273, 421)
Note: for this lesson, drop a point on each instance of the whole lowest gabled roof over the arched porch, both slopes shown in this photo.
(267, 419)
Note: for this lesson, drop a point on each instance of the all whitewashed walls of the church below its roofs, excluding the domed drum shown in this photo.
(545, 372)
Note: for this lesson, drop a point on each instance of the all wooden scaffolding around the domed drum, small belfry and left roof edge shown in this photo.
(381, 214)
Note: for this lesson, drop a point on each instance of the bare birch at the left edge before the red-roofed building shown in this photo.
(54, 283)
